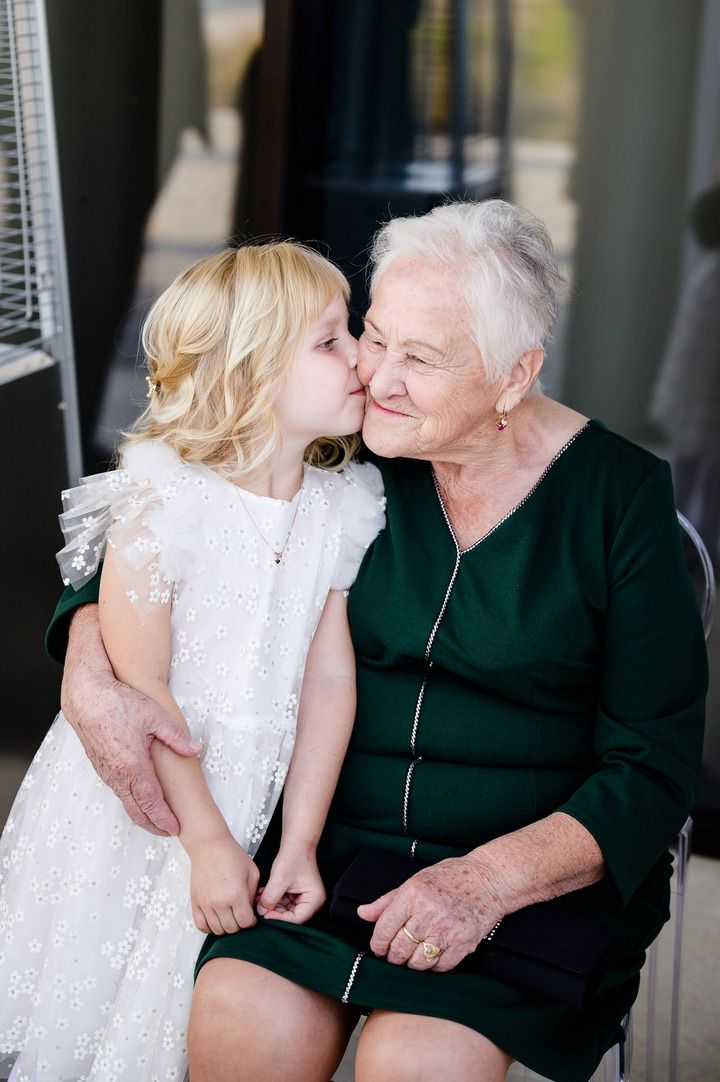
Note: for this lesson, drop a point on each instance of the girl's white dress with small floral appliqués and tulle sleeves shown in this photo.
(97, 939)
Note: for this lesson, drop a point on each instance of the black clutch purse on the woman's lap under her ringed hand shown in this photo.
(542, 949)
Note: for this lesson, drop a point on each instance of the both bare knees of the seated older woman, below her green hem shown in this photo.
(250, 1023)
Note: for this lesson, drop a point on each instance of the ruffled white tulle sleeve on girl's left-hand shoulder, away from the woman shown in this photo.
(148, 512)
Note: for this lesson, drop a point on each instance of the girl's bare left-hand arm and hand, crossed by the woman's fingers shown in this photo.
(224, 878)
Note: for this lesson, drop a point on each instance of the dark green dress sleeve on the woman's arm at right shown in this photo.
(650, 716)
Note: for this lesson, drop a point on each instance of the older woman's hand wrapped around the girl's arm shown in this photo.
(116, 727)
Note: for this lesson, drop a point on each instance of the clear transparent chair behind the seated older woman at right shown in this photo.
(616, 1066)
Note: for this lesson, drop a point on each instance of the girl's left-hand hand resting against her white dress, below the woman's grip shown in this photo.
(224, 888)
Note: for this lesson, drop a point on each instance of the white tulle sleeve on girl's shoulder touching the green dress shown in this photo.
(363, 514)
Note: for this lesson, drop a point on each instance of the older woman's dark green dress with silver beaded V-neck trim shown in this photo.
(557, 665)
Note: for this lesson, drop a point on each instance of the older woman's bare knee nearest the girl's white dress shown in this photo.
(250, 1025)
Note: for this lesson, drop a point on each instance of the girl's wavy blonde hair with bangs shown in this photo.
(218, 345)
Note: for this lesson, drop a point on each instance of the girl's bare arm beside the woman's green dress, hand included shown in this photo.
(325, 720)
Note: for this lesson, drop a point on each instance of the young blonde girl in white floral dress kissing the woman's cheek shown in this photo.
(230, 547)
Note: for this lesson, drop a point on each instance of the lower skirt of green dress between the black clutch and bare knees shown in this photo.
(554, 1040)
